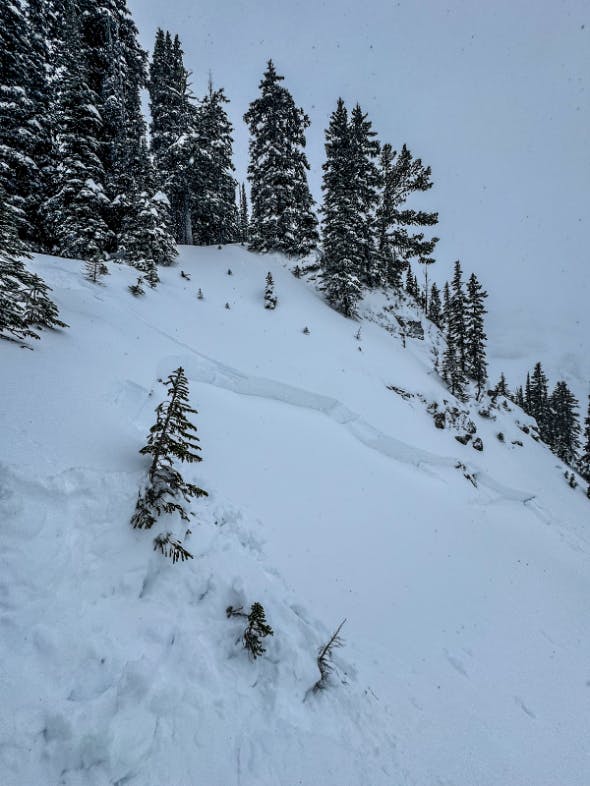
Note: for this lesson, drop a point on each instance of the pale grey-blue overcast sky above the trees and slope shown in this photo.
(493, 94)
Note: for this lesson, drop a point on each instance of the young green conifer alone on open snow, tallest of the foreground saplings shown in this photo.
(172, 437)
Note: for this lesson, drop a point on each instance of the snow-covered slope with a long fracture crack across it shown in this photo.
(467, 642)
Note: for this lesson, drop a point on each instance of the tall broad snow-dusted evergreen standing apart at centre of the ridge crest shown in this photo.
(282, 217)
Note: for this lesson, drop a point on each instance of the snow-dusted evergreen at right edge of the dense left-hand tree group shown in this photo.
(214, 213)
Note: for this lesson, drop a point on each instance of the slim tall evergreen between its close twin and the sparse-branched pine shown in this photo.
(364, 185)
